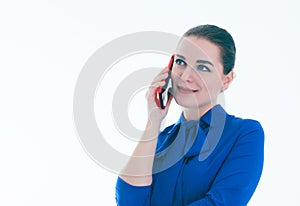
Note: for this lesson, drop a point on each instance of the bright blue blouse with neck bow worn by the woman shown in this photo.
(216, 160)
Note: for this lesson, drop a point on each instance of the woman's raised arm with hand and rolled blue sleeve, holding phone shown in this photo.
(133, 185)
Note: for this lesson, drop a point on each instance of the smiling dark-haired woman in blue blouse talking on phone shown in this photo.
(208, 157)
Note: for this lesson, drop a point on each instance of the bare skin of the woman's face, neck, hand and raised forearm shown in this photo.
(198, 79)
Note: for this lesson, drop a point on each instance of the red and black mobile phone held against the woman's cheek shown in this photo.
(162, 94)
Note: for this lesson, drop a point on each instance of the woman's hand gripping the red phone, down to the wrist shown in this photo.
(155, 113)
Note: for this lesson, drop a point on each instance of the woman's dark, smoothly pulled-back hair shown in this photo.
(221, 38)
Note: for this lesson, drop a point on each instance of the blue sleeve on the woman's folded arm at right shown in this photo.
(239, 176)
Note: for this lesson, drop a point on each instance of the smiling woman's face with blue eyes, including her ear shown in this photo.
(197, 73)
